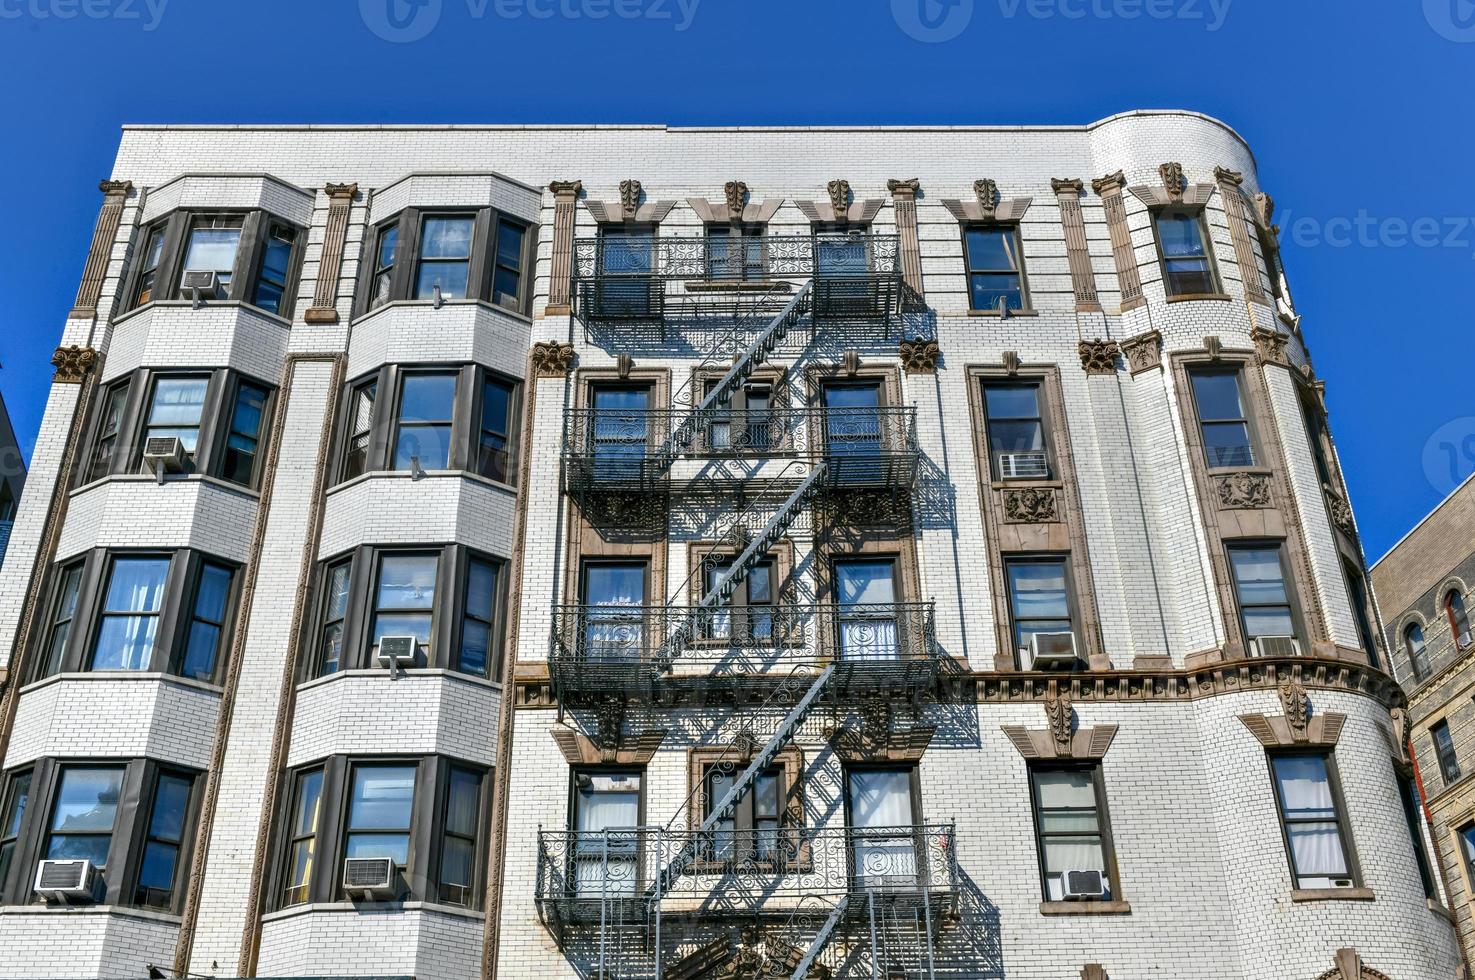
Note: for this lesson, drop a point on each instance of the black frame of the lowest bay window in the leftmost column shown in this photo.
(131, 830)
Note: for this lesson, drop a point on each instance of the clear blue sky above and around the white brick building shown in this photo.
(1359, 113)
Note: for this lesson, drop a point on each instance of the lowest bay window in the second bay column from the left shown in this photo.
(427, 815)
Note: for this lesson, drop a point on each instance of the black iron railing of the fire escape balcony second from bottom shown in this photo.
(617, 647)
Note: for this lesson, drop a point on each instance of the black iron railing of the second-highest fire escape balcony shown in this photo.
(626, 448)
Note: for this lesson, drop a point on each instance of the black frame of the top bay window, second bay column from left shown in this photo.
(483, 263)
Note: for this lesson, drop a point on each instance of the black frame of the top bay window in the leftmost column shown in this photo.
(175, 228)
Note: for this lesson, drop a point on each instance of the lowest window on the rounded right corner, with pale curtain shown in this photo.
(1312, 820)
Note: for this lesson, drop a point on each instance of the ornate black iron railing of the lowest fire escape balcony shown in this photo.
(740, 873)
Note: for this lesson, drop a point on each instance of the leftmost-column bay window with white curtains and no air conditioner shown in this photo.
(166, 613)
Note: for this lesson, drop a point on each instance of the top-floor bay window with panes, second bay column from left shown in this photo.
(465, 256)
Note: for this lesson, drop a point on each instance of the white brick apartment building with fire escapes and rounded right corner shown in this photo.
(871, 553)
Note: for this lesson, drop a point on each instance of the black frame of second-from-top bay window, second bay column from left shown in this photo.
(380, 441)
